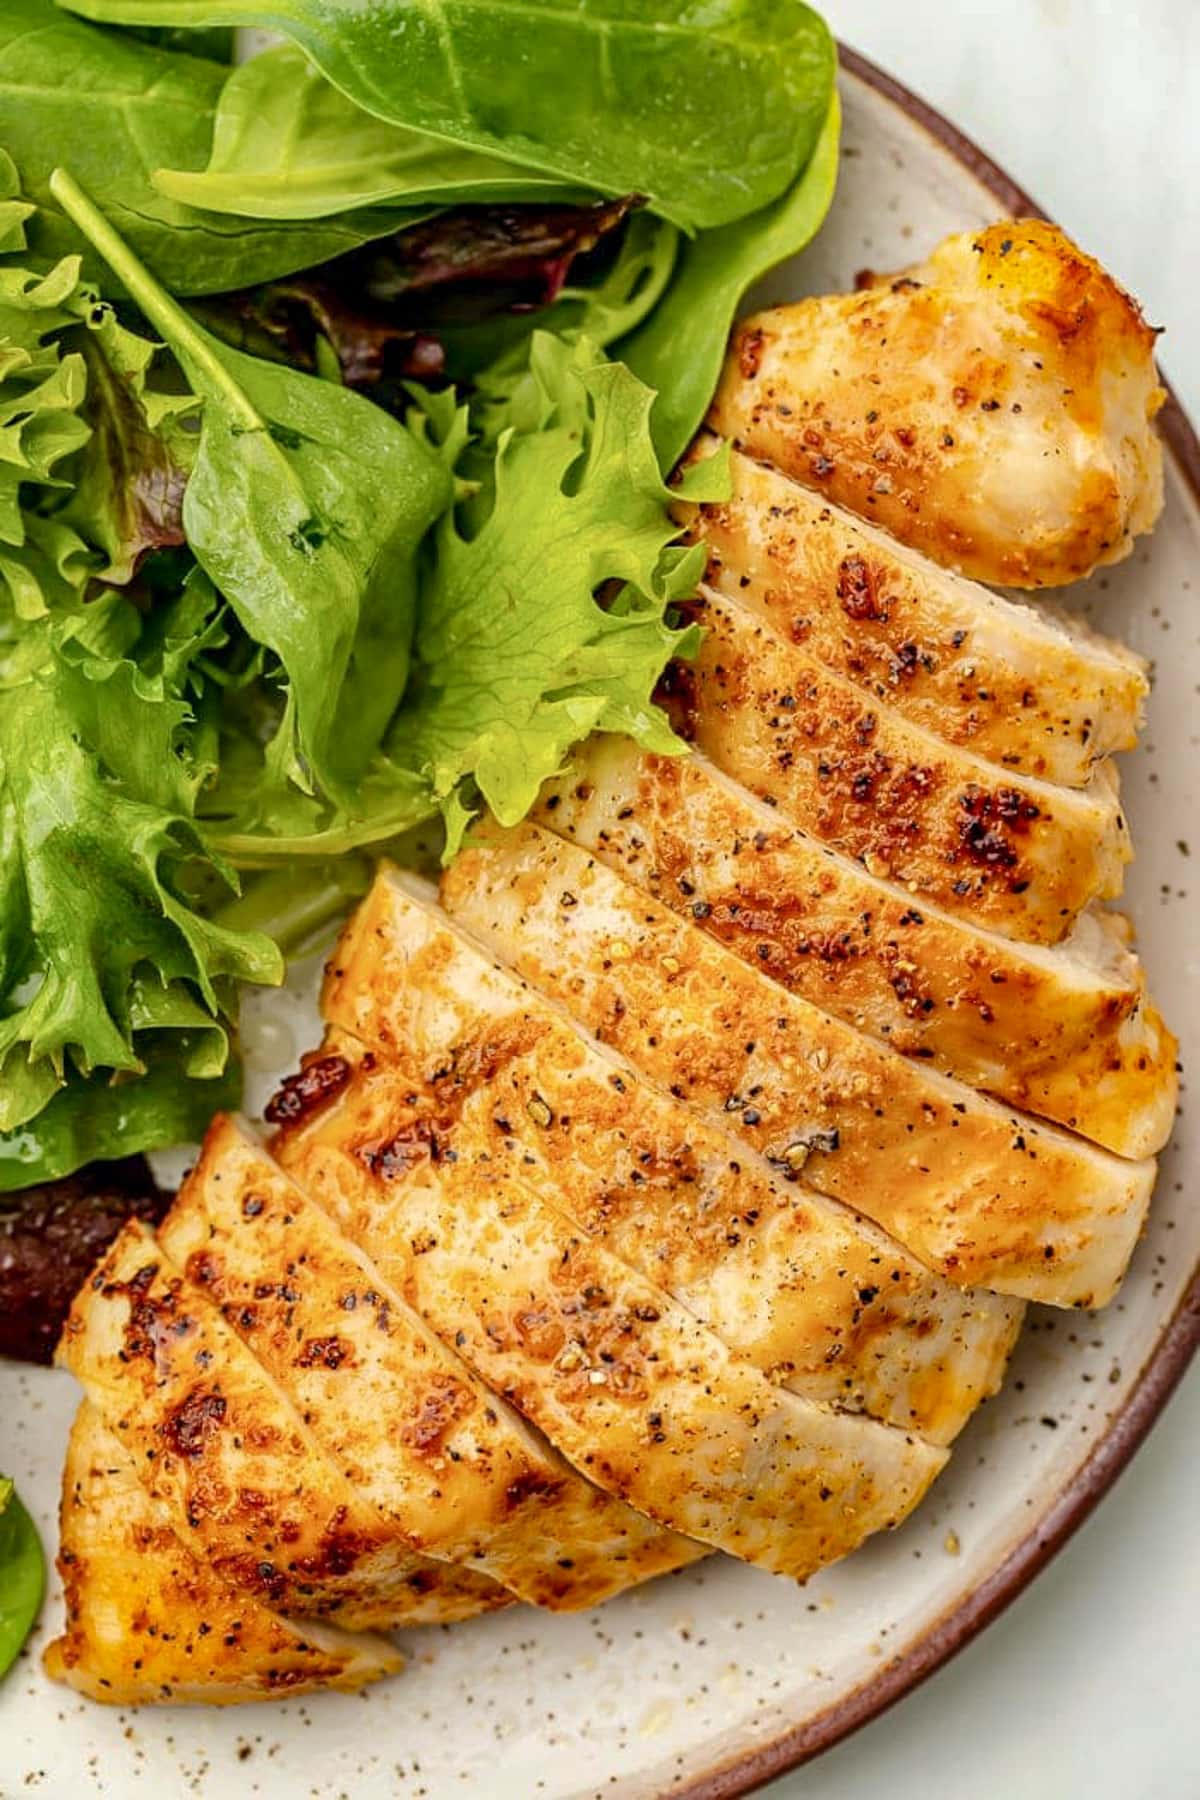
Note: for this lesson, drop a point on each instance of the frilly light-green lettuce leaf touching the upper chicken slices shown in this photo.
(515, 656)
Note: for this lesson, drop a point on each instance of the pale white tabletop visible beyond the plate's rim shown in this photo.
(1089, 1686)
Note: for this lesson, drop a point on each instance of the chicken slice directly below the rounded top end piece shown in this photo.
(1025, 688)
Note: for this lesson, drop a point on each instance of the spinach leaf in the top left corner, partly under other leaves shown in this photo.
(118, 111)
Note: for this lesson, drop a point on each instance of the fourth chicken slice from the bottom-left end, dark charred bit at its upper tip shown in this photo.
(641, 1398)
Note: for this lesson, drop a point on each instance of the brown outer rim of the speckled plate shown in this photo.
(1163, 1371)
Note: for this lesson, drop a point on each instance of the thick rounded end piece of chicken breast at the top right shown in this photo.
(990, 408)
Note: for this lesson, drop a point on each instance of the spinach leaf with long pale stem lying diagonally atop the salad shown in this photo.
(305, 507)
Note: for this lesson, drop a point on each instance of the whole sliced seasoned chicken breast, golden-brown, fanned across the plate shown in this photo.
(661, 1191)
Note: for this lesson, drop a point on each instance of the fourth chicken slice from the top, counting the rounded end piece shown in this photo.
(1068, 1034)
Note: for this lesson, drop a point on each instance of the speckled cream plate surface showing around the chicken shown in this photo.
(713, 1680)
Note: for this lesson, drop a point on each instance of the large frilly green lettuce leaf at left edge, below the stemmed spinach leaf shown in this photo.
(100, 942)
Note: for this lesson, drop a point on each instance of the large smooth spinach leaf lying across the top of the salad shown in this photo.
(708, 111)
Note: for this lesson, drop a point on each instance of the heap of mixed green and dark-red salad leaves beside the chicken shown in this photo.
(339, 390)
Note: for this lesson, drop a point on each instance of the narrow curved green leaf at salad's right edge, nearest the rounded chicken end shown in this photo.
(681, 346)
